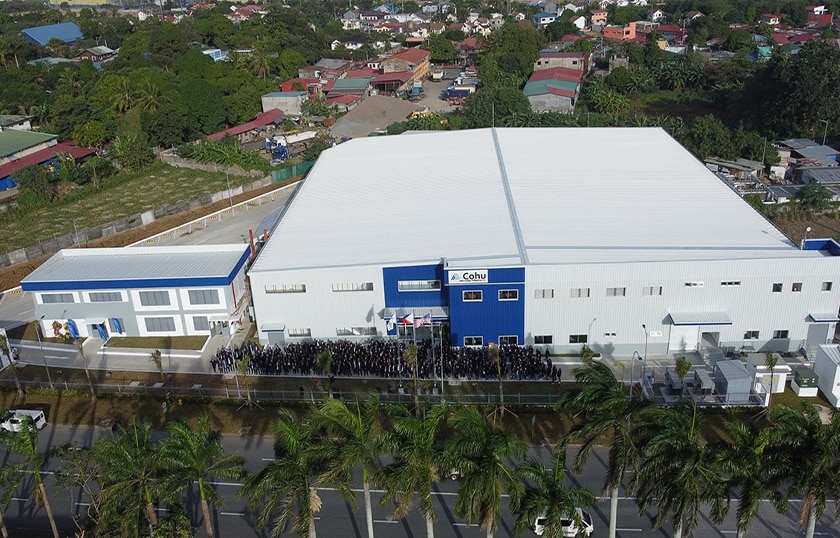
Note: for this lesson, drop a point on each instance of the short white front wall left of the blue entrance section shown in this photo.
(319, 309)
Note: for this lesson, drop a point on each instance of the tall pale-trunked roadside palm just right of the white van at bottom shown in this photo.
(607, 416)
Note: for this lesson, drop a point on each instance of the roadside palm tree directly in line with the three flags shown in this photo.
(414, 446)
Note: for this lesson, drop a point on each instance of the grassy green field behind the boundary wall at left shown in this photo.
(120, 196)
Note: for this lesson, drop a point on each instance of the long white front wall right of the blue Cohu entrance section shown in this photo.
(752, 306)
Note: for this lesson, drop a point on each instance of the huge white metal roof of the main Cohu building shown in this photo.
(495, 197)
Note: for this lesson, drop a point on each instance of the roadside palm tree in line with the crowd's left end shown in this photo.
(195, 455)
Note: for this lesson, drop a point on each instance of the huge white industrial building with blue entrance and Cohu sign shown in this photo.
(615, 237)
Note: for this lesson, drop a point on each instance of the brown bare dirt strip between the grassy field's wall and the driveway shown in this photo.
(11, 277)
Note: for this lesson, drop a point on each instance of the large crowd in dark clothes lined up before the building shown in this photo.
(386, 358)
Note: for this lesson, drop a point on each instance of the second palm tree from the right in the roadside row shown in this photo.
(751, 465)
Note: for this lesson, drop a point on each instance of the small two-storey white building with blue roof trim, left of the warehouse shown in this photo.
(141, 291)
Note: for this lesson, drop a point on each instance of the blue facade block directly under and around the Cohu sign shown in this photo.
(496, 314)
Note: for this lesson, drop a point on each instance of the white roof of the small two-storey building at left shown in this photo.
(163, 262)
